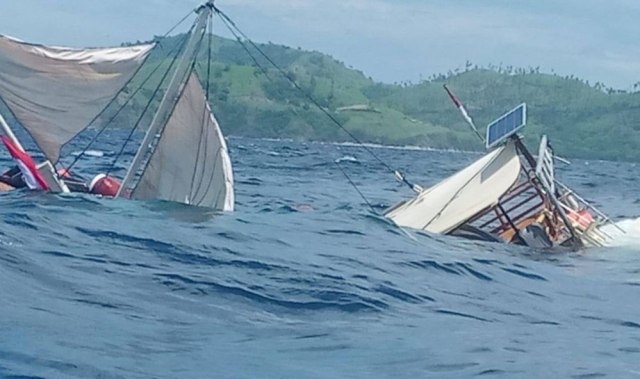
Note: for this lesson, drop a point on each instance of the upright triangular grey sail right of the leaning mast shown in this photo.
(190, 163)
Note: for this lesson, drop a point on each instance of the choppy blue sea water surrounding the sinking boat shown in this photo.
(305, 281)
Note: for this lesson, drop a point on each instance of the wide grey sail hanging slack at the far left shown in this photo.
(54, 92)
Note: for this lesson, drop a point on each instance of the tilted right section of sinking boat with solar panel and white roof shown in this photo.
(508, 195)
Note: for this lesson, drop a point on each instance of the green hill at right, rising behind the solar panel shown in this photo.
(581, 120)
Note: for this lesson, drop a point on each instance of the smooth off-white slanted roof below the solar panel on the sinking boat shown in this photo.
(450, 203)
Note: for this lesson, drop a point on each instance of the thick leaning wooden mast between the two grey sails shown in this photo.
(171, 95)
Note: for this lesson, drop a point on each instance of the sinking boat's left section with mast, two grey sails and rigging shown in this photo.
(55, 93)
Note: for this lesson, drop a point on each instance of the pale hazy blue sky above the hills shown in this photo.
(390, 40)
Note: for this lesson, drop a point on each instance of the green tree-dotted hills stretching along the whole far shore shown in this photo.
(582, 120)
